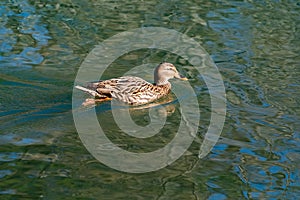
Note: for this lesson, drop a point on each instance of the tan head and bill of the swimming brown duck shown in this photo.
(165, 71)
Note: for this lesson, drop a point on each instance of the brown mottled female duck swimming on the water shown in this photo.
(134, 90)
